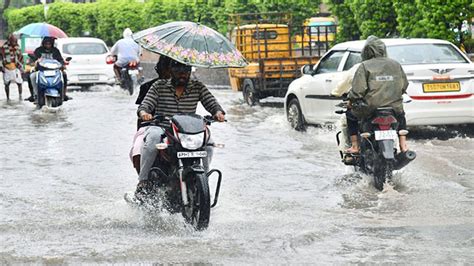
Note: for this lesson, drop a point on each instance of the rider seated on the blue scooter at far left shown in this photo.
(48, 51)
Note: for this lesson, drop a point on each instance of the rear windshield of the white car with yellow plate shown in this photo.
(414, 54)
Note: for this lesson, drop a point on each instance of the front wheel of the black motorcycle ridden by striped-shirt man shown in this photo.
(198, 210)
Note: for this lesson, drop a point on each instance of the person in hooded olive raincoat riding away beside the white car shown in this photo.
(378, 82)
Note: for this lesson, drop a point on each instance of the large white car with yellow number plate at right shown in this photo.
(440, 91)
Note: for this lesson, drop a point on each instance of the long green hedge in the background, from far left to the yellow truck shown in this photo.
(107, 19)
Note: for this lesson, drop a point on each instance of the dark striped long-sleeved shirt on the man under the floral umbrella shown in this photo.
(162, 99)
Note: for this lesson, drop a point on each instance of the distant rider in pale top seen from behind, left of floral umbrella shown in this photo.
(126, 50)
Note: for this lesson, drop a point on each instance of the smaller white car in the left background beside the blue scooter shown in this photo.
(88, 65)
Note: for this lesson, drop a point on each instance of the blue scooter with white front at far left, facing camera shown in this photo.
(50, 83)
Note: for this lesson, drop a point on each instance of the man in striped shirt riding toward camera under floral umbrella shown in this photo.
(178, 95)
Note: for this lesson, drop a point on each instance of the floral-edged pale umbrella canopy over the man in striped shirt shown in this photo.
(192, 44)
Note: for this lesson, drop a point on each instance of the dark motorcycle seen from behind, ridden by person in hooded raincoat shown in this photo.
(378, 155)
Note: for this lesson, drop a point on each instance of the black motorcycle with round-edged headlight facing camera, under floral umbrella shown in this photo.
(178, 178)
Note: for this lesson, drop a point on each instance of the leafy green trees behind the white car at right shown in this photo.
(405, 18)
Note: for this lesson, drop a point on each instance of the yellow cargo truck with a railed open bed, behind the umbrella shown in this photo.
(275, 56)
